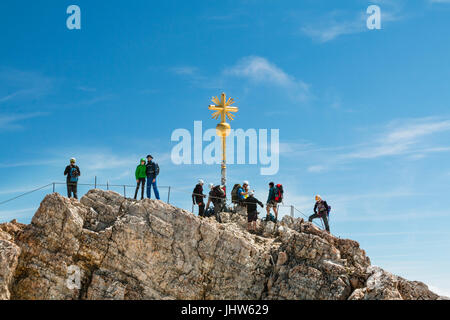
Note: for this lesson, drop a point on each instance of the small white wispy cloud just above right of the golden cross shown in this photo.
(259, 70)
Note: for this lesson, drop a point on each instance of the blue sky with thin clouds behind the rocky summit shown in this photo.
(363, 115)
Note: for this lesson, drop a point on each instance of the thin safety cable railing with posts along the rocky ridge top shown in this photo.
(125, 186)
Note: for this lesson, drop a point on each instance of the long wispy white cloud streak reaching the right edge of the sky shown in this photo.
(412, 139)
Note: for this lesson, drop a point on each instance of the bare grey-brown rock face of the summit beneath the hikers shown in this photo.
(108, 247)
